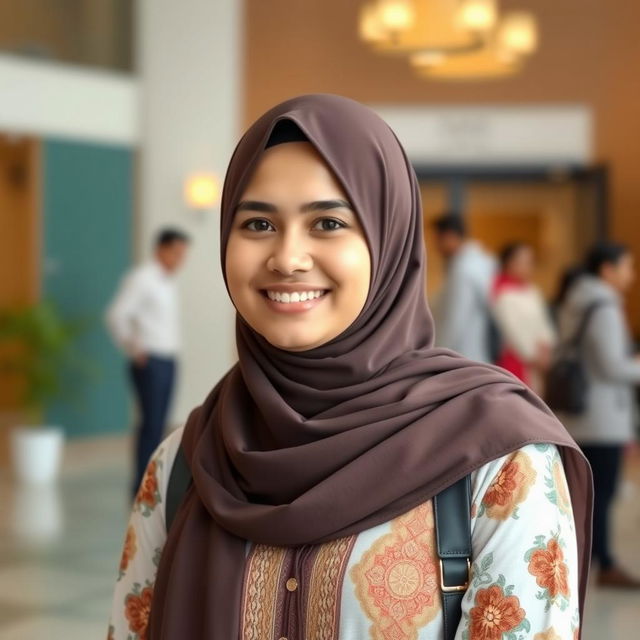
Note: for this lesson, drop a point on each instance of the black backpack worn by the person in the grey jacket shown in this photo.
(566, 384)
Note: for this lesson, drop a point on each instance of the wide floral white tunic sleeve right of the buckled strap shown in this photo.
(524, 575)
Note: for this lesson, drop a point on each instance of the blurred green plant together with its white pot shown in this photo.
(36, 343)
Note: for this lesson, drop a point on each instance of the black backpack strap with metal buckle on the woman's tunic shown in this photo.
(452, 514)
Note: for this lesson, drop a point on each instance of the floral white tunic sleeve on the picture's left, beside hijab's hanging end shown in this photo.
(144, 541)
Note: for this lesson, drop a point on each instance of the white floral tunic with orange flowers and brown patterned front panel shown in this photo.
(383, 583)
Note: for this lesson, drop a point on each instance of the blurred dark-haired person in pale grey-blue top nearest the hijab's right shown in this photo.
(463, 317)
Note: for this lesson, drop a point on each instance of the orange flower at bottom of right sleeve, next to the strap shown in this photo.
(494, 614)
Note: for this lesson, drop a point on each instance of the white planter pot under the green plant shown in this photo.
(37, 453)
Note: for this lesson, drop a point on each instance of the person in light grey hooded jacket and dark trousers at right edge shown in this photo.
(606, 351)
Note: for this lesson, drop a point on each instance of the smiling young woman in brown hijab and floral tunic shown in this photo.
(316, 461)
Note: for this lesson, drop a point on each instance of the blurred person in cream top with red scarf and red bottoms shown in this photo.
(522, 317)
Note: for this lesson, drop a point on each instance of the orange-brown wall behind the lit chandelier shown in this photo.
(590, 50)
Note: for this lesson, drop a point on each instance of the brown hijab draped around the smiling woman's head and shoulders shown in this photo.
(294, 448)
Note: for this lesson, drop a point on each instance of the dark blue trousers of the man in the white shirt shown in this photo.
(153, 386)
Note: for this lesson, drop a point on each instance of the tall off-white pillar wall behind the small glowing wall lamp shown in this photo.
(190, 74)
